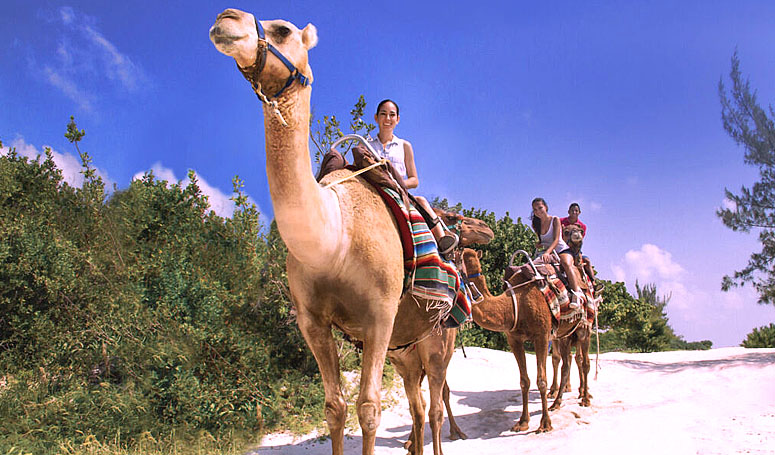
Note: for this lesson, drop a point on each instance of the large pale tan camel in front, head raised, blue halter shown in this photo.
(345, 264)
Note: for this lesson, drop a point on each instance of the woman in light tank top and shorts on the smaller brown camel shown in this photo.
(549, 231)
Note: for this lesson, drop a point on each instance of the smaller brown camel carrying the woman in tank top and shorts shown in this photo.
(533, 322)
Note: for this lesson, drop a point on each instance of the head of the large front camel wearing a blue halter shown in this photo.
(235, 33)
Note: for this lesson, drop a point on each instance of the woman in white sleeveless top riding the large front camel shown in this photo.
(401, 155)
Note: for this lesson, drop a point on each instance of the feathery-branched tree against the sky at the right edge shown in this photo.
(754, 208)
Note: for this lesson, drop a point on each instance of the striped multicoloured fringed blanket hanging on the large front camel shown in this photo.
(427, 275)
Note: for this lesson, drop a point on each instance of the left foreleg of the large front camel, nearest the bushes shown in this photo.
(321, 341)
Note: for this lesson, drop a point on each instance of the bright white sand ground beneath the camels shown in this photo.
(720, 401)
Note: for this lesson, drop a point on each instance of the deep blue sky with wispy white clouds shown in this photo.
(610, 104)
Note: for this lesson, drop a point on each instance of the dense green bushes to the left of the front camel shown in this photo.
(140, 316)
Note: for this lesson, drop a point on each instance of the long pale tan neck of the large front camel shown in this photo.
(302, 208)
